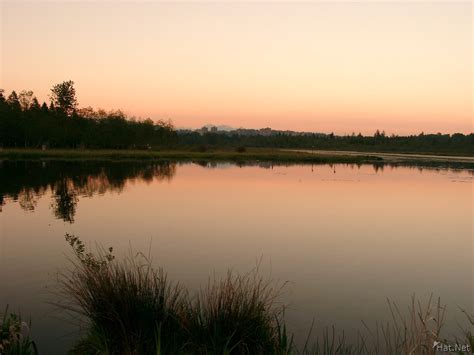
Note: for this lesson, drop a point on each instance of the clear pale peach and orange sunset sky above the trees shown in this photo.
(402, 67)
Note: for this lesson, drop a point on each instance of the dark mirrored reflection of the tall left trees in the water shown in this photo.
(27, 182)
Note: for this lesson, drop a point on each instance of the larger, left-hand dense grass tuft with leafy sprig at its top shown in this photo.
(130, 305)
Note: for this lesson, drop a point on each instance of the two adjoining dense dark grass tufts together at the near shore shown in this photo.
(133, 308)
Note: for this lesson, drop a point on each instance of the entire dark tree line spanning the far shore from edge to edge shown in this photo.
(24, 122)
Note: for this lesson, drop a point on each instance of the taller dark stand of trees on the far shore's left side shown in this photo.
(24, 122)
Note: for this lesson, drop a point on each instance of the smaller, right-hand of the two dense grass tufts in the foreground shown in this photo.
(237, 315)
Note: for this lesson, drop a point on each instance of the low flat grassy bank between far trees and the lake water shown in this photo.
(237, 155)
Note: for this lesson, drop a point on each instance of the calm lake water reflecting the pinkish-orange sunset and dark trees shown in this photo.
(346, 237)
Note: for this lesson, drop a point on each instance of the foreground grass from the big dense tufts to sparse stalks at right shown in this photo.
(133, 308)
